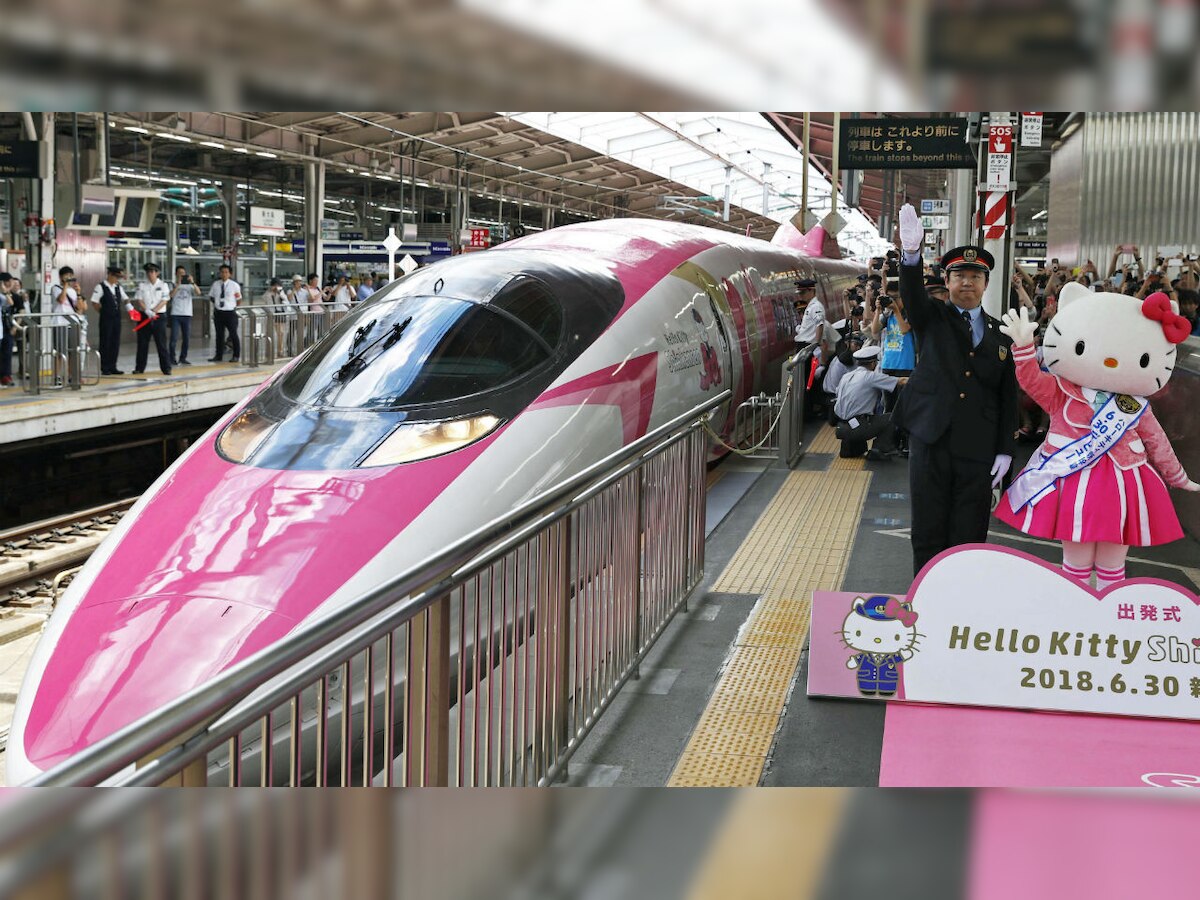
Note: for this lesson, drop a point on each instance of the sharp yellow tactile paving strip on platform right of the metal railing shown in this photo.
(801, 544)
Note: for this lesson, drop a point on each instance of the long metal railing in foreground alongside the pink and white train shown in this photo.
(488, 665)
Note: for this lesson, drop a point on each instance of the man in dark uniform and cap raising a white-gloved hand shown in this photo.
(961, 405)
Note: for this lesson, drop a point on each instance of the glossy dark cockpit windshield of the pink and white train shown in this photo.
(422, 350)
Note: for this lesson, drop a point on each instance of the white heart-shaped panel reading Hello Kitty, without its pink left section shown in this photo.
(1001, 628)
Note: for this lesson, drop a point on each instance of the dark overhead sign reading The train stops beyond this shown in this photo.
(905, 145)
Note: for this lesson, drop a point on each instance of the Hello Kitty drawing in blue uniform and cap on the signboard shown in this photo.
(883, 633)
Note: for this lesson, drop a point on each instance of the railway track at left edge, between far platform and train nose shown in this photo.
(39, 560)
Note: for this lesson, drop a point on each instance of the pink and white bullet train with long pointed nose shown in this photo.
(443, 401)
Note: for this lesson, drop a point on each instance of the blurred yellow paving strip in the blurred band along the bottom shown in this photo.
(772, 844)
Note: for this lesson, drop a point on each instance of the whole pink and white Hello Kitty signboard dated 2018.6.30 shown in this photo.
(992, 627)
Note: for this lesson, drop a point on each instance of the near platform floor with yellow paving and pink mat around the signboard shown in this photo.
(722, 699)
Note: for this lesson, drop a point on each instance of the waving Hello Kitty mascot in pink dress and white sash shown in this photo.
(1097, 483)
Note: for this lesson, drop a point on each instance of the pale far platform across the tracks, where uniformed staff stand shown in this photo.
(119, 400)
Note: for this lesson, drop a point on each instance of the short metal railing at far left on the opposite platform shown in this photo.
(55, 353)
